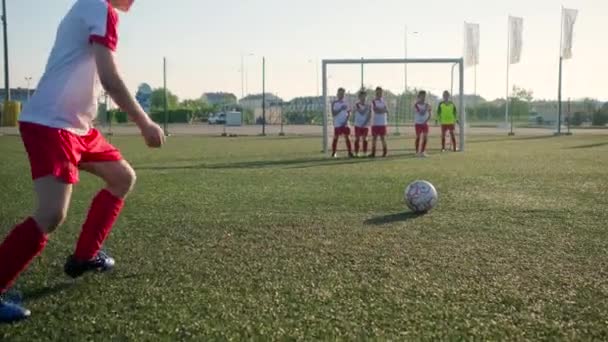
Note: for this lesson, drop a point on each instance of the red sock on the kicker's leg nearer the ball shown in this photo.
(102, 215)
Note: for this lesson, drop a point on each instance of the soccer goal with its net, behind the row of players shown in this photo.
(401, 79)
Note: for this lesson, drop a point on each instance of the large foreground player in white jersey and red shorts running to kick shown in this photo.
(57, 131)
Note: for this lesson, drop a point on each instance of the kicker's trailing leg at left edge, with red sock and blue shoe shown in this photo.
(28, 239)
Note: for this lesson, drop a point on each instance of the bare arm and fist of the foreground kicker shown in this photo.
(113, 84)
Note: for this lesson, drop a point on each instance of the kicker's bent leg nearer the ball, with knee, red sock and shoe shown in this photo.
(103, 213)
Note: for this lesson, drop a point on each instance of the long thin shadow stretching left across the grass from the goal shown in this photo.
(262, 164)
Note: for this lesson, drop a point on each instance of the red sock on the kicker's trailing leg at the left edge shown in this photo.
(21, 246)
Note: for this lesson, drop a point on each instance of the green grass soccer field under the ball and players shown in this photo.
(265, 238)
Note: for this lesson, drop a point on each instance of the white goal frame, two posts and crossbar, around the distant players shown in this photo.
(454, 61)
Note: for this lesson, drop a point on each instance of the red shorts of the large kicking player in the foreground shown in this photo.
(57, 152)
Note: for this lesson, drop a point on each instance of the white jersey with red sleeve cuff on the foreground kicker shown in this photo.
(66, 95)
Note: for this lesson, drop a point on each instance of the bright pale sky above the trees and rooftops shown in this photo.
(204, 41)
